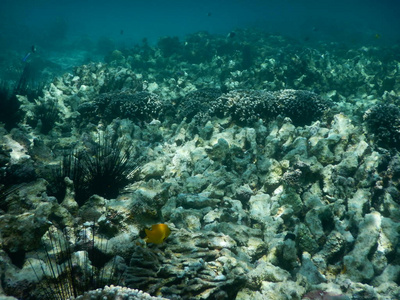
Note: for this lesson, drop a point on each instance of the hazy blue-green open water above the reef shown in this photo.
(76, 31)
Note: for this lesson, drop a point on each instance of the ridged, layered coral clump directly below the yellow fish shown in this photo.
(188, 268)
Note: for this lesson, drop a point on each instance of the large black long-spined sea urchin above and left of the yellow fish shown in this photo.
(104, 169)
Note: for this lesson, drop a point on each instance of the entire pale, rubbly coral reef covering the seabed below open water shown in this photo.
(271, 191)
